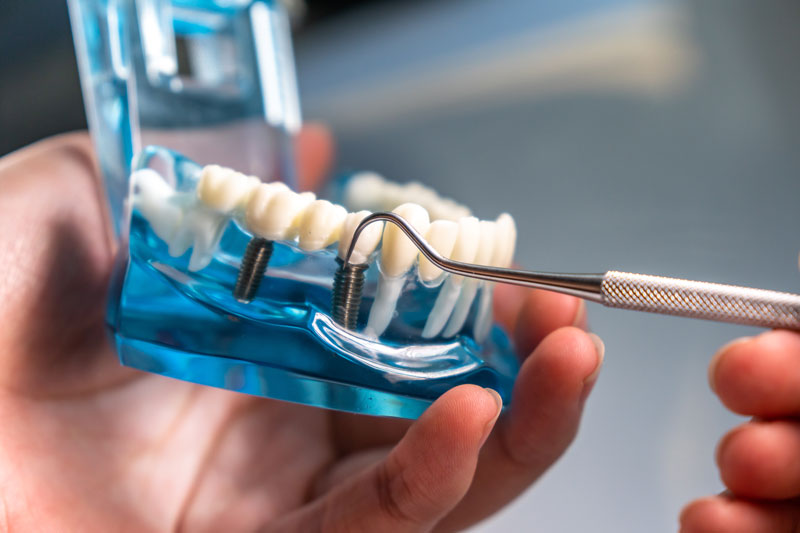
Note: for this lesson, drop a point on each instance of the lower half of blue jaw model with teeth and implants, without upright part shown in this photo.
(385, 336)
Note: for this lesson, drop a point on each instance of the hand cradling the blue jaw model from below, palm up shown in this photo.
(89, 445)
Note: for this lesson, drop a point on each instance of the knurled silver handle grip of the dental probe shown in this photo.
(698, 299)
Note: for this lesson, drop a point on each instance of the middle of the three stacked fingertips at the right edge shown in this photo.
(759, 460)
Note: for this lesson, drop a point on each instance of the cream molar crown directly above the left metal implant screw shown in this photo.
(278, 217)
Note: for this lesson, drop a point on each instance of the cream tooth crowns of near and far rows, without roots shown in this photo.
(275, 212)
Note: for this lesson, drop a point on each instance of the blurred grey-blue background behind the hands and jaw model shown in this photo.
(644, 135)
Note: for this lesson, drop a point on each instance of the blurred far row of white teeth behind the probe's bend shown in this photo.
(370, 191)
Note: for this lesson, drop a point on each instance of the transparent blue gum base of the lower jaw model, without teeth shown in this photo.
(284, 344)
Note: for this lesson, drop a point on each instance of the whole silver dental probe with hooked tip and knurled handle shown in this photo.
(639, 292)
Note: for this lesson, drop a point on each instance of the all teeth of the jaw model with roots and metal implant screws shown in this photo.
(271, 212)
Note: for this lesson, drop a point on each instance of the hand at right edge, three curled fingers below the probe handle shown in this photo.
(758, 461)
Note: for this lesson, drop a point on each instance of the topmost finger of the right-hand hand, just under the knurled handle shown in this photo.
(759, 376)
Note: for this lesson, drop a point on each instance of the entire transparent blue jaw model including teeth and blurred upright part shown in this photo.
(227, 281)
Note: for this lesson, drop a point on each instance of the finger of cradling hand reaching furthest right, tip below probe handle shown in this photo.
(545, 411)
